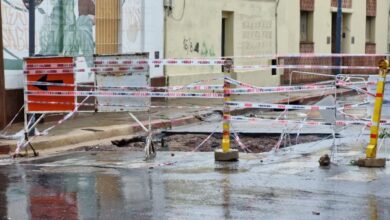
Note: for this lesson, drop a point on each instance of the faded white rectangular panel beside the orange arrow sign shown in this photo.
(119, 75)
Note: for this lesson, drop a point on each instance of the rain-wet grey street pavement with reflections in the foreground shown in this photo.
(120, 185)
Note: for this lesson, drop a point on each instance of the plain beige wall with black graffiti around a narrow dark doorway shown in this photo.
(196, 32)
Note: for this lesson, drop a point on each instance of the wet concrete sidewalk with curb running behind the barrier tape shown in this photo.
(88, 128)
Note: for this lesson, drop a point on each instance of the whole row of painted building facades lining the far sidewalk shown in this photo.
(191, 29)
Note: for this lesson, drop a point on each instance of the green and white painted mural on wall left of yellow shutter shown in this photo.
(61, 28)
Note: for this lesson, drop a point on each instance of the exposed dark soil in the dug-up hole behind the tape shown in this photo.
(190, 142)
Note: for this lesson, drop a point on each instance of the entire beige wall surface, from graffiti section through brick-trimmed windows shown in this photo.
(193, 30)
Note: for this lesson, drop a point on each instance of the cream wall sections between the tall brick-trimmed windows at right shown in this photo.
(354, 26)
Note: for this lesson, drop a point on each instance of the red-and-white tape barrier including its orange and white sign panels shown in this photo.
(122, 83)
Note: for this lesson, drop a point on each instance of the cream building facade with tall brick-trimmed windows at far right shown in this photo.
(311, 26)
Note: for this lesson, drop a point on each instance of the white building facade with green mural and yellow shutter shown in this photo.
(78, 28)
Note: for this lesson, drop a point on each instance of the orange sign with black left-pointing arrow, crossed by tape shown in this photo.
(45, 74)
